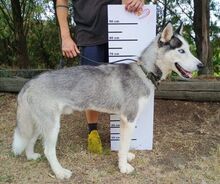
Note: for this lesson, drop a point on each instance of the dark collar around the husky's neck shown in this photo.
(150, 75)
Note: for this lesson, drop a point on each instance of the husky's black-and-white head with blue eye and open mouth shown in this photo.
(173, 53)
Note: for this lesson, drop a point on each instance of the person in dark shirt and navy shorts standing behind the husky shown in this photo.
(91, 38)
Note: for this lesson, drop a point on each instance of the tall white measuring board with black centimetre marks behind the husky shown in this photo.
(128, 36)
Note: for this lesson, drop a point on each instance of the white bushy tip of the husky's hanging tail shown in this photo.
(19, 142)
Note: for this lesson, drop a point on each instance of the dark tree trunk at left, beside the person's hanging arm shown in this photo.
(20, 37)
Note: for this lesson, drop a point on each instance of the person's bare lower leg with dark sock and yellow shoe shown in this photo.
(94, 141)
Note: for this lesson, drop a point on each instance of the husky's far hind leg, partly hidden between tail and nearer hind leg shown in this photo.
(31, 155)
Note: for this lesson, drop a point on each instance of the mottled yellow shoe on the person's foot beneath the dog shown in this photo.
(94, 142)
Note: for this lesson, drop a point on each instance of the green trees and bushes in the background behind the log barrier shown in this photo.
(29, 35)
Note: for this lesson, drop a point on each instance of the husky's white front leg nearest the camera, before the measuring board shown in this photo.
(126, 129)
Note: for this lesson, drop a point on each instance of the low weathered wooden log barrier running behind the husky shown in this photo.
(193, 90)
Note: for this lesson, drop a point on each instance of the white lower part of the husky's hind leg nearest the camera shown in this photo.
(50, 135)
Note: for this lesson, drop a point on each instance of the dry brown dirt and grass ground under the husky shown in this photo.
(186, 148)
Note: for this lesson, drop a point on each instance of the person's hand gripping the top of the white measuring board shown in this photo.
(135, 6)
